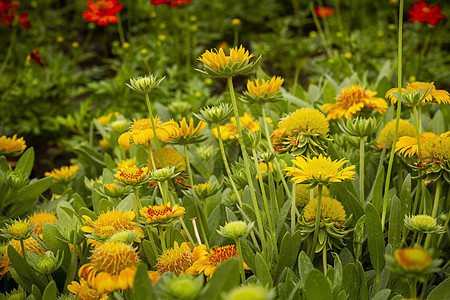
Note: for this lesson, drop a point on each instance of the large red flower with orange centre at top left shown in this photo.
(103, 11)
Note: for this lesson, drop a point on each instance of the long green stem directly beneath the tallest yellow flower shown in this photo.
(247, 167)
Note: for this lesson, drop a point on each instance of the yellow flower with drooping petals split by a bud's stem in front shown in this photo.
(141, 132)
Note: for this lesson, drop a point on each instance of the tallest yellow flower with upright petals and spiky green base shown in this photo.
(217, 64)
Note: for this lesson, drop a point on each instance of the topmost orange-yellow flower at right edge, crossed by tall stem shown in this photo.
(439, 96)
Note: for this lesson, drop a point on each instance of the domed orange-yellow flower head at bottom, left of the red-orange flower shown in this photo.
(176, 260)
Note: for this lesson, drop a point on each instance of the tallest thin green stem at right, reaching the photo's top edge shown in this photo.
(399, 106)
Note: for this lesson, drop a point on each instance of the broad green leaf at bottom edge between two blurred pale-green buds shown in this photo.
(224, 279)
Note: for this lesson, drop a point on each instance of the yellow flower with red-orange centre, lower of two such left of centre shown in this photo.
(161, 215)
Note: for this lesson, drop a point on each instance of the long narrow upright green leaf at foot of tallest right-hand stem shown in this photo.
(375, 238)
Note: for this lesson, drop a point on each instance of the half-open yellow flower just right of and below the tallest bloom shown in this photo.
(263, 91)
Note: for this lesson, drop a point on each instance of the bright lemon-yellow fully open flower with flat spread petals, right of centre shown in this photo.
(319, 170)
